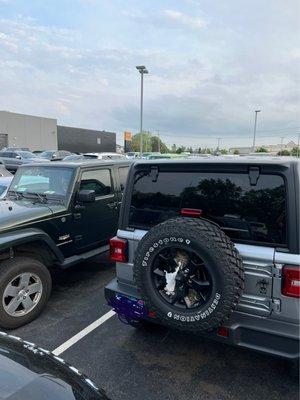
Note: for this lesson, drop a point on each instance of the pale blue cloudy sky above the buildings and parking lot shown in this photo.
(211, 64)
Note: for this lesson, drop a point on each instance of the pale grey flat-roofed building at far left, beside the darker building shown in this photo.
(35, 133)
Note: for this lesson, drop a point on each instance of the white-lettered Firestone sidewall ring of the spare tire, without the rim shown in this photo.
(213, 310)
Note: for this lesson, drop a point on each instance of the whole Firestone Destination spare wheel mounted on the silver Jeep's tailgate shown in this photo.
(189, 273)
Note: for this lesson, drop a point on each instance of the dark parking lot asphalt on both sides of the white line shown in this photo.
(163, 364)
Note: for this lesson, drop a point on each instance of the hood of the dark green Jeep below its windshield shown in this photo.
(14, 213)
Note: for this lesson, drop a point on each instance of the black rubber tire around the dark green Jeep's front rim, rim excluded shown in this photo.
(12, 269)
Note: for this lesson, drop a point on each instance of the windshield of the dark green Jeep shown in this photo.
(48, 181)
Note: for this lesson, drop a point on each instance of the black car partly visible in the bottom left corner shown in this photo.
(28, 372)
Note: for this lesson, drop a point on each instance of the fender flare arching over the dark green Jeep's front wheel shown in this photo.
(23, 236)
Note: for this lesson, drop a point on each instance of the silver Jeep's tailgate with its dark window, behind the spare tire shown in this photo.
(247, 202)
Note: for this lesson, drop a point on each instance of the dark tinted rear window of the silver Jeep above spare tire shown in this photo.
(245, 213)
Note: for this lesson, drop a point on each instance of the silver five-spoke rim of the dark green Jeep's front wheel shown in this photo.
(22, 294)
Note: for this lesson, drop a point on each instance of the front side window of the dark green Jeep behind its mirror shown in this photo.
(98, 180)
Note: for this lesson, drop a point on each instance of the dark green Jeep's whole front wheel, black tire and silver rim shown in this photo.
(25, 287)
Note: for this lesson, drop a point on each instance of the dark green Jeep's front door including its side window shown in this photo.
(96, 222)
